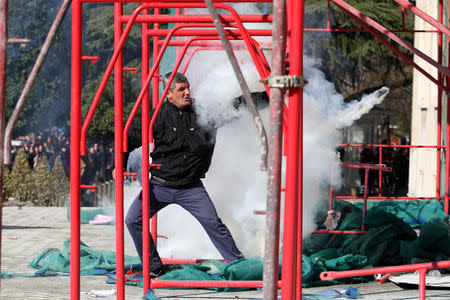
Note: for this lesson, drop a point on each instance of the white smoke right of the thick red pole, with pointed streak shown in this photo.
(324, 112)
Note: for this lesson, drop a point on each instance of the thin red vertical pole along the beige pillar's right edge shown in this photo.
(439, 109)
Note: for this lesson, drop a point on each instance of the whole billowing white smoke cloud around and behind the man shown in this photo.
(235, 183)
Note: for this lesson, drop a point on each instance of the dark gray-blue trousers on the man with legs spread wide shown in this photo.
(196, 201)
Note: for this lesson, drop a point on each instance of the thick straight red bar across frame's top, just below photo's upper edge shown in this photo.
(197, 19)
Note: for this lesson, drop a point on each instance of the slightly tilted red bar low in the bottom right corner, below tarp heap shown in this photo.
(331, 275)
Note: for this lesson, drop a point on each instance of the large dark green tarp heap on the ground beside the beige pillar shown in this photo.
(389, 239)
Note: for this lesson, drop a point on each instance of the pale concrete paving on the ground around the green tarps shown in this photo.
(28, 231)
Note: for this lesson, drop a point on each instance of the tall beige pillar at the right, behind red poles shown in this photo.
(422, 168)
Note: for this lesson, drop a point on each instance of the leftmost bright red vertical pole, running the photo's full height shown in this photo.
(75, 134)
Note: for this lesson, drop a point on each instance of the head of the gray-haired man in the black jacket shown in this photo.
(178, 93)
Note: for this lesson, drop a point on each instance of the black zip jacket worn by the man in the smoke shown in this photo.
(183, 147)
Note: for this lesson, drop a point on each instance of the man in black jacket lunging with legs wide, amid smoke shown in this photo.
(184, 149)
